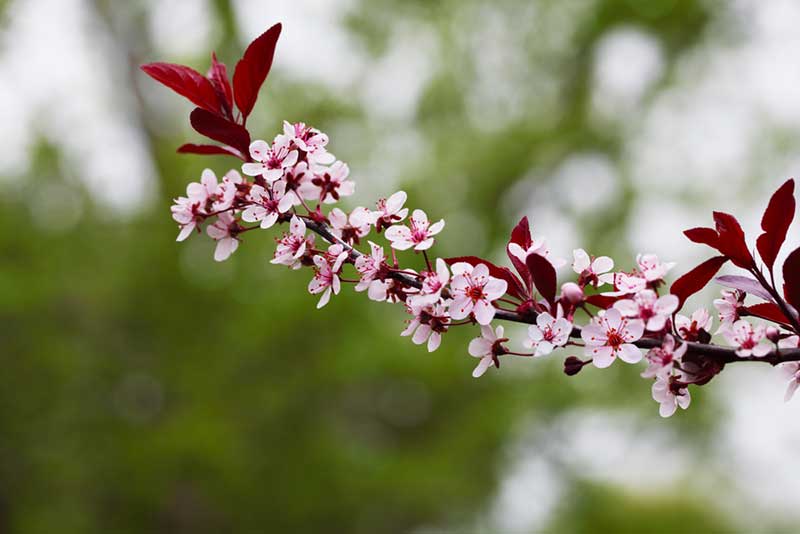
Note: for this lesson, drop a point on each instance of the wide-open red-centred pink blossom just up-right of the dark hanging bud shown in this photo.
(610, 335)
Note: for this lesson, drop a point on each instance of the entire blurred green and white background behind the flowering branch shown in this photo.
(146, 388)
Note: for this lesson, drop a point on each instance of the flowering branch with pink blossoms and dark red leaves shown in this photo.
(632, 316)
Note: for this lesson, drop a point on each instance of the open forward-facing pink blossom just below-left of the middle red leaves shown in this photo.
(473, 291)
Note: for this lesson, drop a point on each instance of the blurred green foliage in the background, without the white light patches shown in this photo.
(148, 389)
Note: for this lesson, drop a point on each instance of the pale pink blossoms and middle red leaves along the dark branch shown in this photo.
(295, 177)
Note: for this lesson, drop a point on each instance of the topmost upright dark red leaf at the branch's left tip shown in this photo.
(252, 69)
